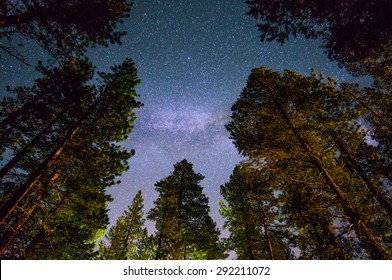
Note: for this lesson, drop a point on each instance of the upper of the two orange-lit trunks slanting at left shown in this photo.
(25, 188)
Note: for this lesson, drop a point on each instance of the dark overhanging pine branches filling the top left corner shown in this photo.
(64, 28)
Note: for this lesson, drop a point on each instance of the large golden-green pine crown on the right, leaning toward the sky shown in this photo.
(306, 133)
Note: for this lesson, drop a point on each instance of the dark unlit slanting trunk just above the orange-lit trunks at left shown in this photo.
(11, 164)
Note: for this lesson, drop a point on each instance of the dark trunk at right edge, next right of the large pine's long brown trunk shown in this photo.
(376, 190)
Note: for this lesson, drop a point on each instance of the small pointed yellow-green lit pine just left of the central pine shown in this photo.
(124, 237)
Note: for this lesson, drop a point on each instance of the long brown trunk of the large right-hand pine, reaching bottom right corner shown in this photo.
(365, 235)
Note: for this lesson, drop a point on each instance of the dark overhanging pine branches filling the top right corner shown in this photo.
(357, 34)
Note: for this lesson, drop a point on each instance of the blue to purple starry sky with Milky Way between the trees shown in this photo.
(193, 58)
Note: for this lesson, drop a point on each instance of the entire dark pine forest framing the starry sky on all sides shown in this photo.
(314, 183)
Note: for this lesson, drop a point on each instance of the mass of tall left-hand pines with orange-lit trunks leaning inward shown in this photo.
(66, 170)
